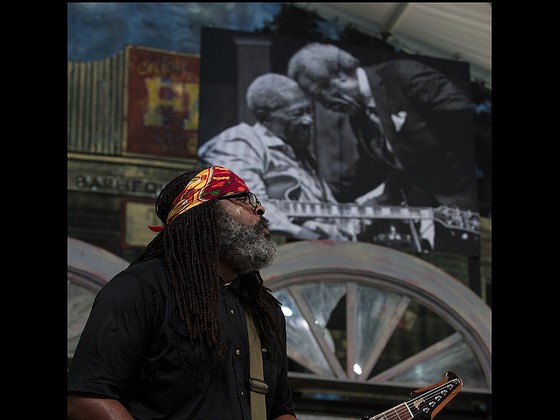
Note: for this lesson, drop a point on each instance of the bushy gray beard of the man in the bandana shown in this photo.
(244, 247)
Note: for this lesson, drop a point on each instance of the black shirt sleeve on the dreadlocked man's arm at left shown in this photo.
(114, 337)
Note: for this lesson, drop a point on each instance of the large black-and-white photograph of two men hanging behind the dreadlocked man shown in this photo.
(344, 143)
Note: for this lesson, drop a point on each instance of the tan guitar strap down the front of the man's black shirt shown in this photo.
(259, 388)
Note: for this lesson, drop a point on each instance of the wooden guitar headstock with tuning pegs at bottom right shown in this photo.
(428, 401)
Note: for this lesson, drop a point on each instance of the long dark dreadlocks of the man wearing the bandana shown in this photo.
(190, 247)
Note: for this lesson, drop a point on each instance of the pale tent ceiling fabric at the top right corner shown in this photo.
(453, 31)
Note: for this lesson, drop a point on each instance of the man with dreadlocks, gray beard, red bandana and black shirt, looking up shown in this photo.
(166, 338)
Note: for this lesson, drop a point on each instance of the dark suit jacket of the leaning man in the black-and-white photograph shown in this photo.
(428, 123)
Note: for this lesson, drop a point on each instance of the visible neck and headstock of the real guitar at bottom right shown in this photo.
(426, 402)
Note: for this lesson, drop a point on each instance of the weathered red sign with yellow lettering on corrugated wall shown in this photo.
(162, 102)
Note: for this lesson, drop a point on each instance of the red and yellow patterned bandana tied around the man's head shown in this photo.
(209, 184)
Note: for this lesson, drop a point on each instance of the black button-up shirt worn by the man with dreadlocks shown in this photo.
(135, 348)
